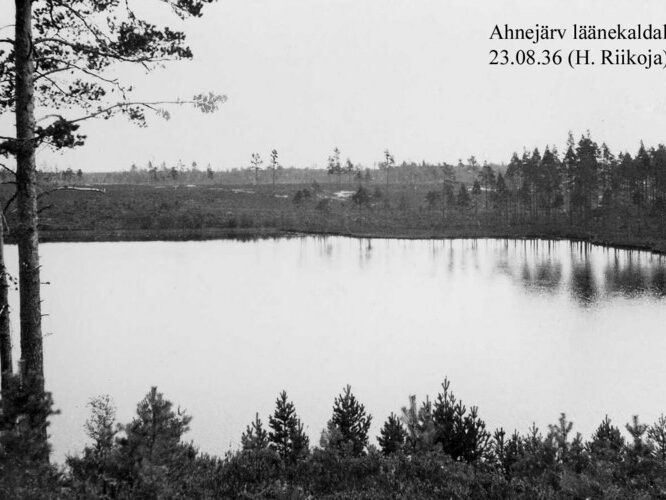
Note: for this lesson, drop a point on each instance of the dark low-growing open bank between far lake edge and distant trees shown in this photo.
(181, 213)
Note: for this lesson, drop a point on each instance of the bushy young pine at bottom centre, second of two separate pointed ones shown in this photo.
(350, 424)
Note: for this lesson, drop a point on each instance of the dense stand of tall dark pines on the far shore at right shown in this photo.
(587, 181)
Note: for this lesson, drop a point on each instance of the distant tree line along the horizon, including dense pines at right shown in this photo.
(535, 184)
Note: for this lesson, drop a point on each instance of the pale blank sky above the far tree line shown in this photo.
(413, 76)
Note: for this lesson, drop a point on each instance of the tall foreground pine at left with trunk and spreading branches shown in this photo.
(78, 46)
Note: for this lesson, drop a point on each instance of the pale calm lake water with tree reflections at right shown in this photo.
(524, 329)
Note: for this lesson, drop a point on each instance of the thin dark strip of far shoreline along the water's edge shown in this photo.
(207, 234)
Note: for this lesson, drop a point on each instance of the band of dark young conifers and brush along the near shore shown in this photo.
(438, 448)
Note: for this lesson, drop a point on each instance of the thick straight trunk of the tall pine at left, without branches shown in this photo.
(32, 363)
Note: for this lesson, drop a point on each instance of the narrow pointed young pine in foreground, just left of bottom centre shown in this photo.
(287, 436)
